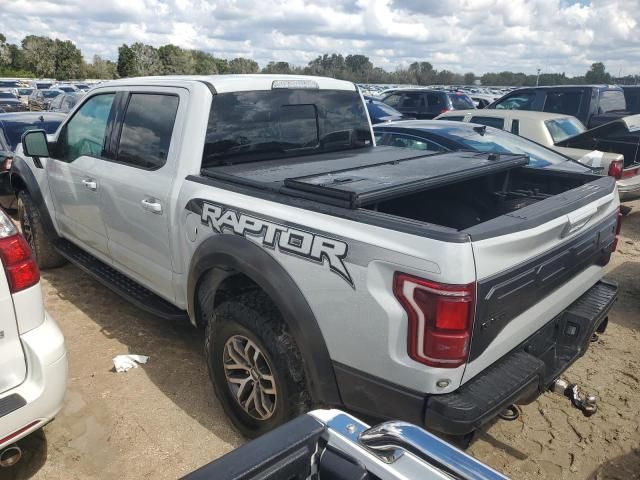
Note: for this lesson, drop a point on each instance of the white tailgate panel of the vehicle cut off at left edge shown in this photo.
(13, 368)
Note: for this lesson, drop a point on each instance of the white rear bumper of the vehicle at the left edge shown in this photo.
(38, 399)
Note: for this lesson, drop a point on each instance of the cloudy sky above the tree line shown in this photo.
(460, 35)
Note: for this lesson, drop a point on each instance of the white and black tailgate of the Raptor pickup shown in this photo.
(529, 272)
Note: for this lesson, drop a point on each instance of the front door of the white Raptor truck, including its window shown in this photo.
(74, 187)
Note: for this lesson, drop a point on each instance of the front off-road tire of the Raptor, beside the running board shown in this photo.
(32, 228)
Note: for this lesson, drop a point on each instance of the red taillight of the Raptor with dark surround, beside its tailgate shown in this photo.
(440, 319)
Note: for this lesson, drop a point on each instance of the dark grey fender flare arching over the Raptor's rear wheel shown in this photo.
(233, 253)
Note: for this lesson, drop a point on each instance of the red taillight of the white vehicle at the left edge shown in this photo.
(19, 265)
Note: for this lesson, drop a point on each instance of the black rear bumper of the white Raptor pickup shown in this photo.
(518, 377)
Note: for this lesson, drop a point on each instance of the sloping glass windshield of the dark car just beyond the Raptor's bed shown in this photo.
(499, 141)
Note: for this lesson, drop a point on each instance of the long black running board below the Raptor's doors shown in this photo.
(131, 290)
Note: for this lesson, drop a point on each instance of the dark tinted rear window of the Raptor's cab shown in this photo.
(266, 124)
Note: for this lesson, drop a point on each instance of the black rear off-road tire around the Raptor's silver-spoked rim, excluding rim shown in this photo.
(253, 315)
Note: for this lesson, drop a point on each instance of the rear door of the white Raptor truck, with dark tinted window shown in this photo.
(136, 185)
